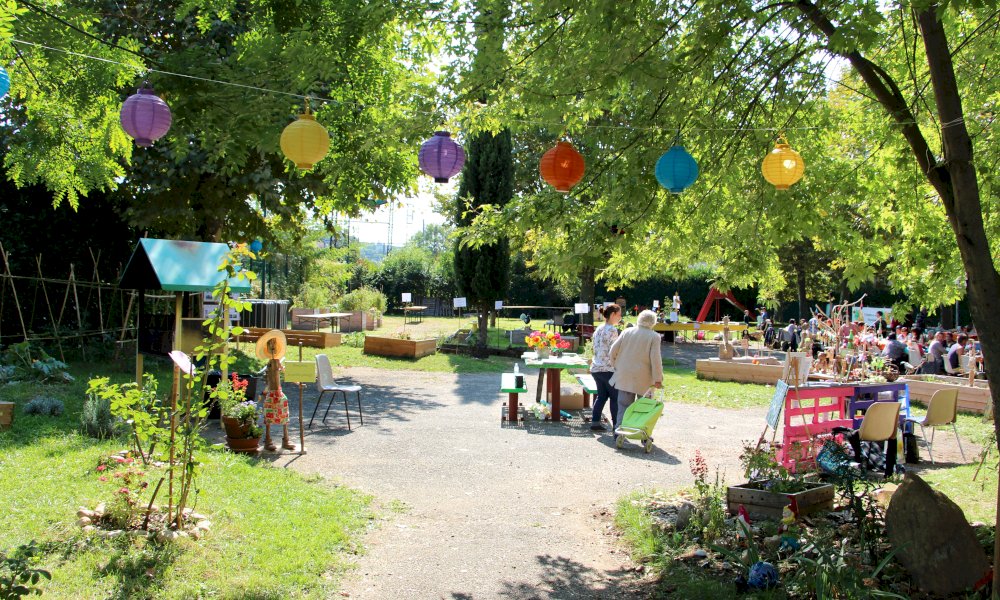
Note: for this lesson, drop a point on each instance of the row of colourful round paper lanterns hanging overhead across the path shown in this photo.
(146, 118)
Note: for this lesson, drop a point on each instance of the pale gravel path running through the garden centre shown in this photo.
(496, 512)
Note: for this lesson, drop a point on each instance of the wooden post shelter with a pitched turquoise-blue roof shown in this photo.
(180, 267)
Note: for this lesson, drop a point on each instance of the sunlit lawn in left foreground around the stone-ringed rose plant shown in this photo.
(275, 533)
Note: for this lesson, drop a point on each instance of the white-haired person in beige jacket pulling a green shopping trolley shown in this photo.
(635, 356)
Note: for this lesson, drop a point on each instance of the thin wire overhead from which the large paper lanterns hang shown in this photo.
(306, 97)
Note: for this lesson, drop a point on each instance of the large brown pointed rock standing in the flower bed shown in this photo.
(933, 540)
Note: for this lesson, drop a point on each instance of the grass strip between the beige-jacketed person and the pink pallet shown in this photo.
(683, 386)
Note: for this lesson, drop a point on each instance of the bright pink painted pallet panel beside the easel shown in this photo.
(810, 416)
